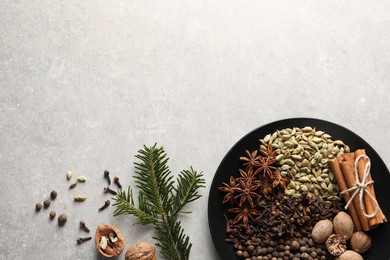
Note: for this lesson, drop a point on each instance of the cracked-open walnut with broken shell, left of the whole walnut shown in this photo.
(115, 248)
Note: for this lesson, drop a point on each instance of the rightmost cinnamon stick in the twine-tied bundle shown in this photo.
(368, 202)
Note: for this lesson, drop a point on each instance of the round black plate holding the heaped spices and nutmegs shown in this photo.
(230, 164)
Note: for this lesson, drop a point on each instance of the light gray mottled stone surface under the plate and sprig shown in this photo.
(84, 84)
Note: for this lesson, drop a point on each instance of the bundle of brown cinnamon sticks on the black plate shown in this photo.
(343, 169)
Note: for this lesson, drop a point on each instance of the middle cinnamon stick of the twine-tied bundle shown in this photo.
(347, 170)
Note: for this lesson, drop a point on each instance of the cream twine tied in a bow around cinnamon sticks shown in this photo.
(361, 186)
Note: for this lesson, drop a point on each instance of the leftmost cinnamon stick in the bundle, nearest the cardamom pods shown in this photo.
(335, 167)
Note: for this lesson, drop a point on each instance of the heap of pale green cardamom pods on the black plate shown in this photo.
(303, 154)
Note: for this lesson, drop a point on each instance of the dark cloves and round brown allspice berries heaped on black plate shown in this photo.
(282, 225)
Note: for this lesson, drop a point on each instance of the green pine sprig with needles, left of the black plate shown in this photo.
(161, 199)
